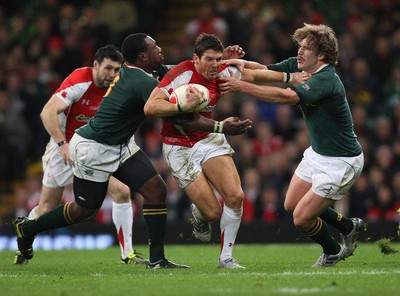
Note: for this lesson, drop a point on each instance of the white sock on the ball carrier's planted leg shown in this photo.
(230, 223)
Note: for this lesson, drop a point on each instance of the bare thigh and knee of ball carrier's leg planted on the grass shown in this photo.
(222, 173)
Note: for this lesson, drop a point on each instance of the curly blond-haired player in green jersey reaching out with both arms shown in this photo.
(334, 161)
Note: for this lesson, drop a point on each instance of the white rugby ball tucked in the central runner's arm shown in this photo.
(178, 97)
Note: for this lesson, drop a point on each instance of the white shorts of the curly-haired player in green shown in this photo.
(331, 176)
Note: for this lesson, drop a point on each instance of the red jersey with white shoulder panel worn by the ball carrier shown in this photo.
(181, 74)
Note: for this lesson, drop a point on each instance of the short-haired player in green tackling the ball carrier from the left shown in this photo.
(104, 147)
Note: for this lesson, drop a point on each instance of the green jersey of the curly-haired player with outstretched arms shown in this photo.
(325, 110)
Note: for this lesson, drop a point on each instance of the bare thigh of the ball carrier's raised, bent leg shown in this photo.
(202, 195)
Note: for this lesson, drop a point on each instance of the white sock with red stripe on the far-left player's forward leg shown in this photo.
(122, 215)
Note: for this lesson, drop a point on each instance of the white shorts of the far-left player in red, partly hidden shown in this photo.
(56, 174)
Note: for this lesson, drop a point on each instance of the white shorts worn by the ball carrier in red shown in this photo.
(186, 162)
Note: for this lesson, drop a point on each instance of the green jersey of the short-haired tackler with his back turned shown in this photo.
(120, 113)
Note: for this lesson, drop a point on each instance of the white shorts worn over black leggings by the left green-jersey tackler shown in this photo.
(97, 162)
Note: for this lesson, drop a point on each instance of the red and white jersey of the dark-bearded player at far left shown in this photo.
(83, 98)
